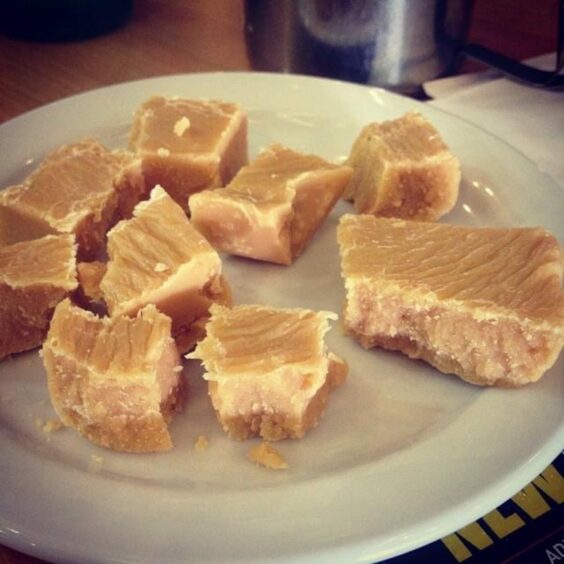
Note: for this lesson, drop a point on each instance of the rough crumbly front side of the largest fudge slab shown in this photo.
(481, 349)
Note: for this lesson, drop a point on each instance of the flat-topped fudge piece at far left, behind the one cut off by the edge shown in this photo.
(82, 188)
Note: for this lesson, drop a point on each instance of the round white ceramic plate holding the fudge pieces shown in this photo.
(403, 456)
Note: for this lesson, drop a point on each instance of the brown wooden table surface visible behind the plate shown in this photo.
(186, 36)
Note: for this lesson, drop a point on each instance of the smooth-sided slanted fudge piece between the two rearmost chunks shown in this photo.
(273, 206)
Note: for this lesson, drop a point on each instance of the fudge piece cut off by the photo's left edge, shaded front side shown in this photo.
(34, 277)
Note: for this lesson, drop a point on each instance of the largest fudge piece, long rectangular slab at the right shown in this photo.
(485, 304)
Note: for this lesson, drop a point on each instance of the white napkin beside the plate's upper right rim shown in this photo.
(530, 119)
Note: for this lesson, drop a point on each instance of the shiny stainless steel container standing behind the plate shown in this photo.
(395, 44)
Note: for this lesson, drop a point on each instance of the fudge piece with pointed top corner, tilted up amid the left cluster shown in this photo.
(158, 257)
